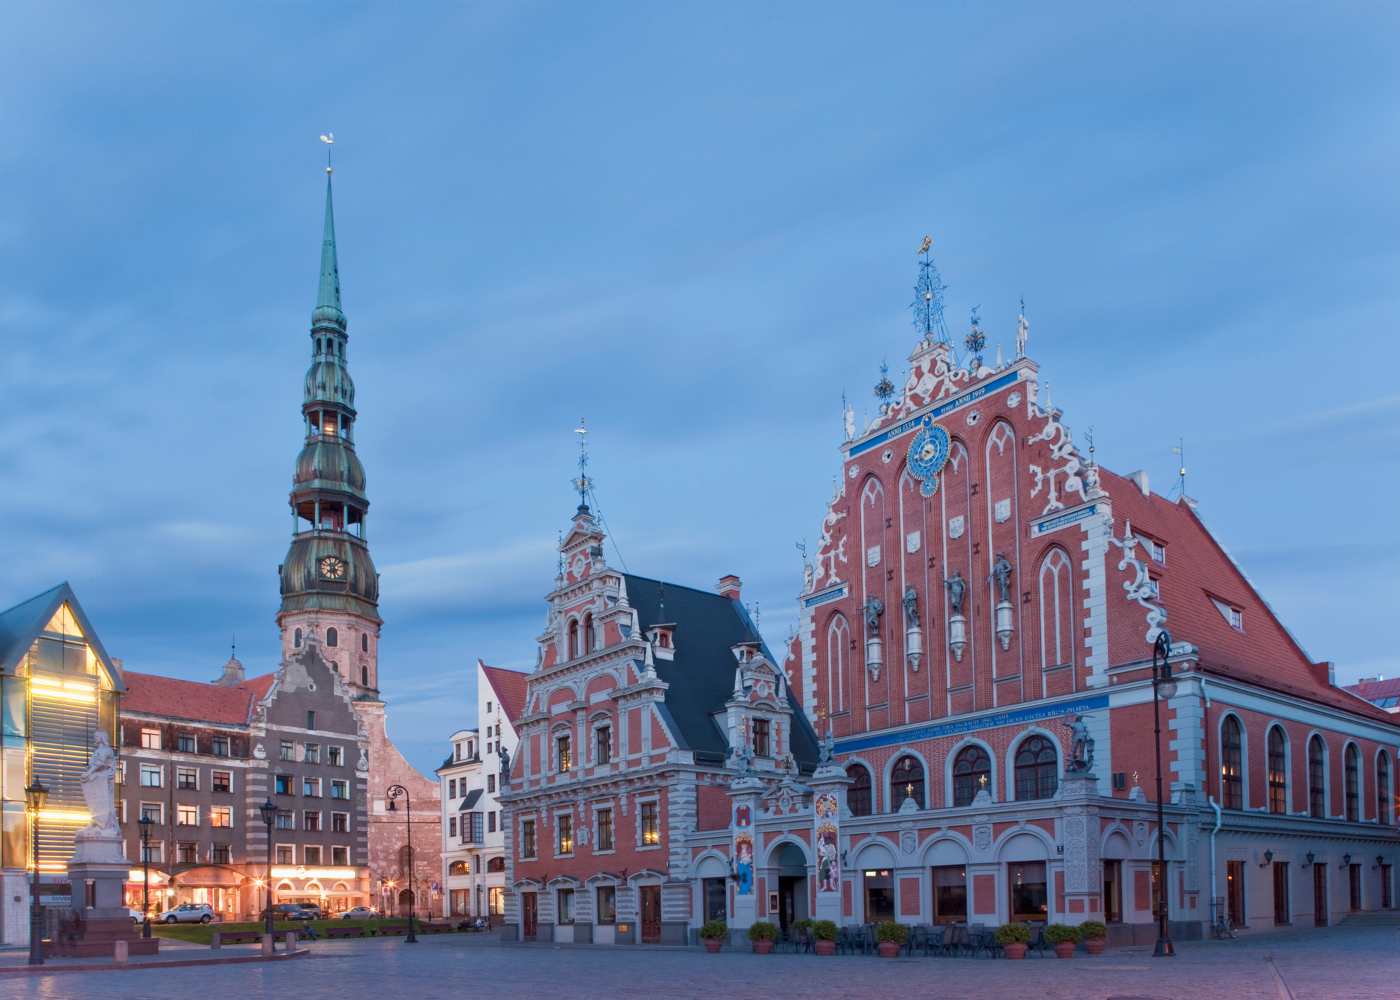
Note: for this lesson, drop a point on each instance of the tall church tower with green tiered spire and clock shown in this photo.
(330, 586)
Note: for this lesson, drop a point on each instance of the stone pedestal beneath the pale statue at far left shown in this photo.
(99, 919)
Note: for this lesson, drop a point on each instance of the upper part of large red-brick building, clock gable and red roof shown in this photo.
(972, 557)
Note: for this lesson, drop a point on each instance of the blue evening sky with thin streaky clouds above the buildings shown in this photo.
(696, 229)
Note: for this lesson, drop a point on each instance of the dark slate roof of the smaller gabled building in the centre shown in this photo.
(702, 673)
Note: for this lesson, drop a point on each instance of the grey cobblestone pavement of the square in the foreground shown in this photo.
(1346, 963)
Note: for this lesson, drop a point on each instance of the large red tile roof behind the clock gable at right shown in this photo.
(1198, 569)
